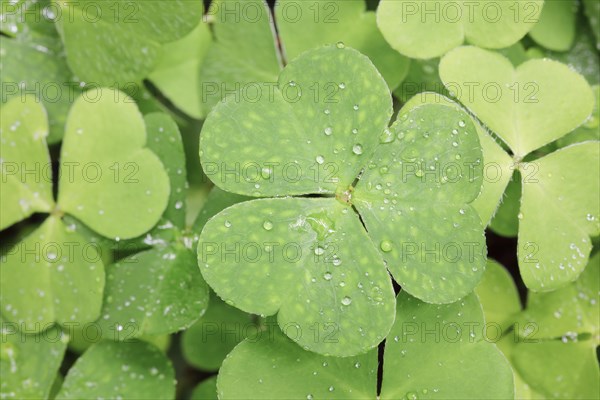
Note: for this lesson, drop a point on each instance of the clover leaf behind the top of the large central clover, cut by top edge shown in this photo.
(245, 61)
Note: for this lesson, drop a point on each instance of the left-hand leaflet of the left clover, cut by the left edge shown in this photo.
(23, 128)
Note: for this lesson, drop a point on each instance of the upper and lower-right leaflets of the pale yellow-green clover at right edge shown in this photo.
(553, 248)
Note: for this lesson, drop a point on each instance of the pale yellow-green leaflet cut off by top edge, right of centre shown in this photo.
(430, 29)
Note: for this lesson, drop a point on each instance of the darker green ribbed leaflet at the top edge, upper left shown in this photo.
(119, 43)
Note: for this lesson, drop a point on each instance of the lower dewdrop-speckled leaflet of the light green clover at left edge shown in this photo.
(54, 274)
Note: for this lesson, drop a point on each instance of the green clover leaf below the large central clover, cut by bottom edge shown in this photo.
(423, 358)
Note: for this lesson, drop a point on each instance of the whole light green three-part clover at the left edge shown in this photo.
(45, 275)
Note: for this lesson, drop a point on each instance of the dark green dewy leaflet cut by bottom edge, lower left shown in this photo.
(126, 370)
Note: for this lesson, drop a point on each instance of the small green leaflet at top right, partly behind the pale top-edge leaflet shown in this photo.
(556, 27)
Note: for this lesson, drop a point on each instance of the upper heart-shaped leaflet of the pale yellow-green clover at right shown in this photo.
(527, 107)
